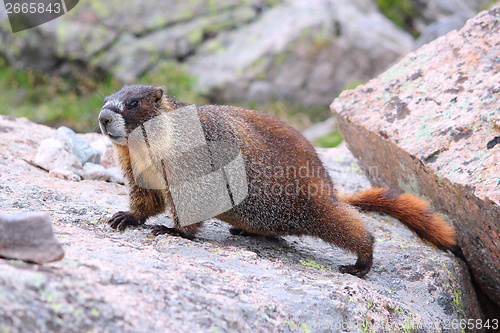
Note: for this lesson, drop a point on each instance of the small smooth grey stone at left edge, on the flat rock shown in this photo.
(29, 237)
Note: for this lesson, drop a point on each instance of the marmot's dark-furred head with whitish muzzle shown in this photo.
(130, 107)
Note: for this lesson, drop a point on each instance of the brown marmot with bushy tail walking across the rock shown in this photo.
(273, 153)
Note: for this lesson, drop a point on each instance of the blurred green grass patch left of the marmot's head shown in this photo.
(52, 100)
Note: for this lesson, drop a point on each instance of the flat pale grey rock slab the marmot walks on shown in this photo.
(132, 282)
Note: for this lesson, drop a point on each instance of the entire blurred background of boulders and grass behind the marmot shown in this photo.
(286, 57)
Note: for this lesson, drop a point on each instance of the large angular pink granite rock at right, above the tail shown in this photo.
(431, 125)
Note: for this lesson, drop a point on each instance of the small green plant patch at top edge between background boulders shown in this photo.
(401, 12)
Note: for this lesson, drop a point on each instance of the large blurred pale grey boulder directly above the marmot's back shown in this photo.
(301, 51)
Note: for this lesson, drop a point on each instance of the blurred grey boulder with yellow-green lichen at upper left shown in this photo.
(93, 39)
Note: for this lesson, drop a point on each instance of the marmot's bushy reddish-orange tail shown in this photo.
(407, 208)
